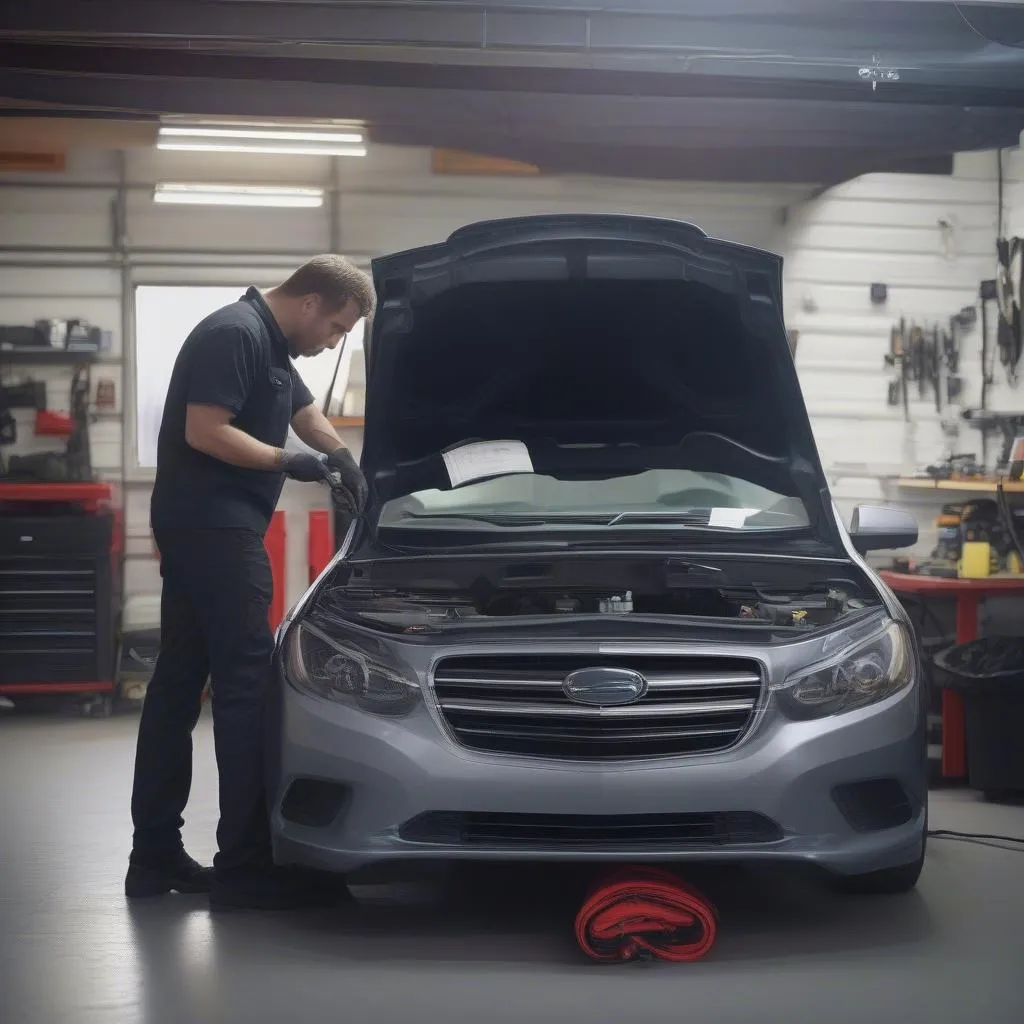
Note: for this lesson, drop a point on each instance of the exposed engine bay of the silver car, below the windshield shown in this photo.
(401, 595)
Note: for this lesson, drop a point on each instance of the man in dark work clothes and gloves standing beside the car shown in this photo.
(221, 470)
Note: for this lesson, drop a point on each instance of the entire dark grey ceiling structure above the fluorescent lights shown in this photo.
(732, 91)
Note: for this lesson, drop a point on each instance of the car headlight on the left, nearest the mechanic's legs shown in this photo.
(348, 673)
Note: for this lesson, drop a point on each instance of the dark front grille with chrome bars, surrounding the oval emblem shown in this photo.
(515, 704)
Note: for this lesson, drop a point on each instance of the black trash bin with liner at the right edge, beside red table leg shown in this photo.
(991, 675)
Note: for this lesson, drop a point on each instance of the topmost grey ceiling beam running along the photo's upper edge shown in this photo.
(738, 26)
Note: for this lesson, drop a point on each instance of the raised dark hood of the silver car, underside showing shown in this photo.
(608, 345)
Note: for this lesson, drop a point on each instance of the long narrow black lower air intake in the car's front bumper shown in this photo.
(583, 832)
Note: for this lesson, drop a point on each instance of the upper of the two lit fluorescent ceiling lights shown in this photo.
(318, 141)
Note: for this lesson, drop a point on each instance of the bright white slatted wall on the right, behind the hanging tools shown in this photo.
(888, 229)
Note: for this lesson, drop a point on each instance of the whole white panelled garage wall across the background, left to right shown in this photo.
(59, 258)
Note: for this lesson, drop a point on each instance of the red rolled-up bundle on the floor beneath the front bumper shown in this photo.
(646, 913)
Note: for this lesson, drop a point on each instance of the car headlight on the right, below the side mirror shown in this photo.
(863, 674)
